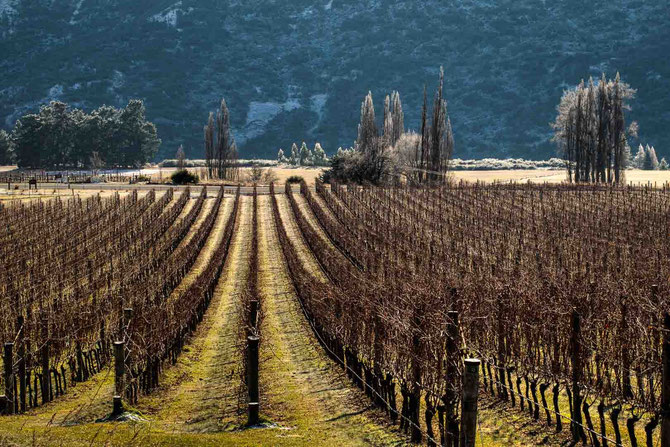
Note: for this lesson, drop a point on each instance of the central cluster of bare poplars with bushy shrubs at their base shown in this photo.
(395, 155)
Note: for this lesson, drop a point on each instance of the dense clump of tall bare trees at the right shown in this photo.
(590, 130)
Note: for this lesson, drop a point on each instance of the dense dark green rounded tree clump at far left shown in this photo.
(62, 137)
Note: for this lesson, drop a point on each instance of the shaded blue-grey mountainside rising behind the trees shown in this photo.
(298, 70)
